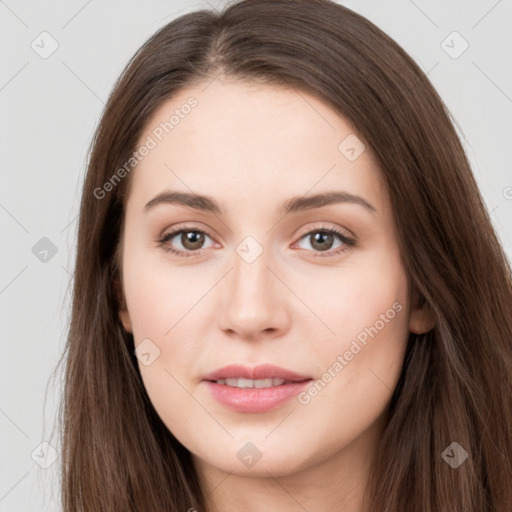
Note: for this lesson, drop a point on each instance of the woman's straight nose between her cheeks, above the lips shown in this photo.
(254, 300)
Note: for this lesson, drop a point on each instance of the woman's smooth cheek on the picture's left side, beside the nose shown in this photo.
(161, 301)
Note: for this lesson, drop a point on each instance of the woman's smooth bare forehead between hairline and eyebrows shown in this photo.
(229, 138)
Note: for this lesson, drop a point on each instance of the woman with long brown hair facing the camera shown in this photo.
(288, 294)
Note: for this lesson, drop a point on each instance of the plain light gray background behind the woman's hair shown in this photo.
(49, 109)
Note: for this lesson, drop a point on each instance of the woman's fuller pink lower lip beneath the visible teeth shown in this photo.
(255, 399)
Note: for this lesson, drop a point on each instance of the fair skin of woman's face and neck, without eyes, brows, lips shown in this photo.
(251, 147)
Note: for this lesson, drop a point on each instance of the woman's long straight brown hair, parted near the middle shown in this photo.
(456, 383)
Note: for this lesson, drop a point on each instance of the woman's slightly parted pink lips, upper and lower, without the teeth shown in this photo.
(255, 399)
